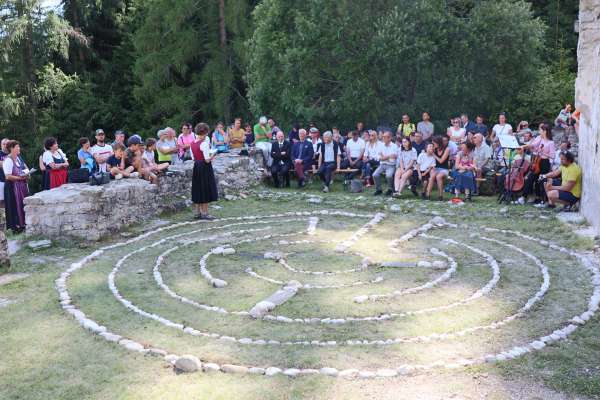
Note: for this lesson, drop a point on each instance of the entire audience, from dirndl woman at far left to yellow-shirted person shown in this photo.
(413, 156)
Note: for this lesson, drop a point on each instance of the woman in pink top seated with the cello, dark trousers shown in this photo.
(543, 150)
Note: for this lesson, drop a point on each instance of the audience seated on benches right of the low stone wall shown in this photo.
(413, 156)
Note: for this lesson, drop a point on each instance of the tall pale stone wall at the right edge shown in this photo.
(587, 100)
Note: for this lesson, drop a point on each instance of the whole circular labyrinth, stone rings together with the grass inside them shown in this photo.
(335, 293)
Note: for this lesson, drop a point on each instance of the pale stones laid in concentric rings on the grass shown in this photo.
(560, 329)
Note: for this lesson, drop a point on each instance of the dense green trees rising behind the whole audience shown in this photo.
(139, 65)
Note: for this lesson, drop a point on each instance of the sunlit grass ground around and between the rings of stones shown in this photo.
(45, 354)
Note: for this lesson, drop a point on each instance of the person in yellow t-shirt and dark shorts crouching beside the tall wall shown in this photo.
(567, 189)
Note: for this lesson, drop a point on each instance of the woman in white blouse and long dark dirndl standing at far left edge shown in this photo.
(15, 188)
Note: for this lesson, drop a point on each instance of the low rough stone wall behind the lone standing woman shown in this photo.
(93, 212)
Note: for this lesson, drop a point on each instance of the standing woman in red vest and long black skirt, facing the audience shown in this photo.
(204, 185)
